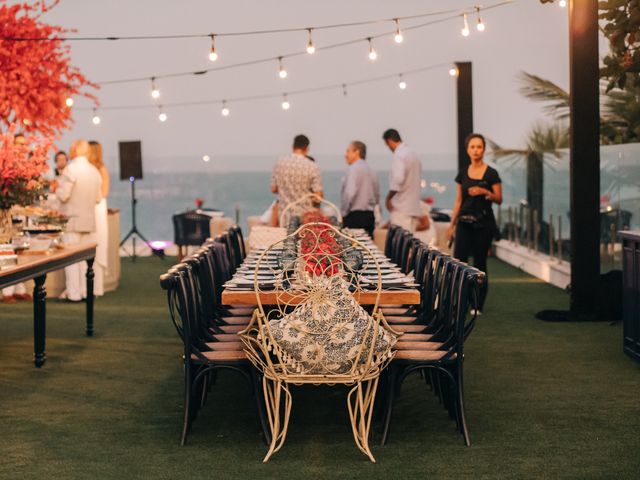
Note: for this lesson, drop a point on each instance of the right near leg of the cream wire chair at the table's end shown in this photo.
(361, 412)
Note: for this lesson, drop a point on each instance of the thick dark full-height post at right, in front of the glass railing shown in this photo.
(584, 157)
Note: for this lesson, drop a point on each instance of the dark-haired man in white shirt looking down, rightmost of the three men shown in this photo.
(403, 199)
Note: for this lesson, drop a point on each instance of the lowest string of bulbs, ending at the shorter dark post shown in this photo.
(334, 86)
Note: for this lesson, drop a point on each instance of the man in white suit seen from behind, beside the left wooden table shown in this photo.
(79, 192)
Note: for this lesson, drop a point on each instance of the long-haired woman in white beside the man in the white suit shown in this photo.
(102, 232)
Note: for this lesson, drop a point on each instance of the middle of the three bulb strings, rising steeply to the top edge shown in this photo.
(300, 53)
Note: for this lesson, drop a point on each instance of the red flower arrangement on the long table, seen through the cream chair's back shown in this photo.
(318, 246)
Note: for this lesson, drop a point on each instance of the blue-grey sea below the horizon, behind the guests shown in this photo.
(160, 195)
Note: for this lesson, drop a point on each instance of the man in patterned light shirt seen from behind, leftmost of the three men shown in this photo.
(295, 176)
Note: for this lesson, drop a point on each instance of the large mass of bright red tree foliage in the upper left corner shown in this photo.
(36, 75)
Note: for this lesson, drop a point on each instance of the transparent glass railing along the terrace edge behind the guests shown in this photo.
(162, 193)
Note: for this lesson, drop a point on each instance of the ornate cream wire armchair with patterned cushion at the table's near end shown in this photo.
(315, 331)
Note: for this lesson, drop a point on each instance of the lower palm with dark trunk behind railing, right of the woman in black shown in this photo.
(545, 143)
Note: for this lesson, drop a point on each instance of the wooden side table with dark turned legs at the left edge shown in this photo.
(36, 266)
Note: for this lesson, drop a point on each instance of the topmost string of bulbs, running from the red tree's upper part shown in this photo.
(239, 33)
